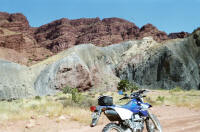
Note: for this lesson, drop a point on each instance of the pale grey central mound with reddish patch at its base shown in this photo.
(83, 67)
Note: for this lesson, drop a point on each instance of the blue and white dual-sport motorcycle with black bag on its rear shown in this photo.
(130, 117)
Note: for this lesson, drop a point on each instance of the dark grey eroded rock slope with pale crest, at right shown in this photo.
(176, 63)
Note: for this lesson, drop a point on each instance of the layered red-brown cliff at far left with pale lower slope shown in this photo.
(17, 37)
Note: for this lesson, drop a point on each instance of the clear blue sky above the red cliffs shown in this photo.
(167, 15)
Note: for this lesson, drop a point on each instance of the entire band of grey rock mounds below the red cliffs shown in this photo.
(87, 67)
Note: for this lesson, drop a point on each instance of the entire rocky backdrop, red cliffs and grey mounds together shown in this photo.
(99, 66)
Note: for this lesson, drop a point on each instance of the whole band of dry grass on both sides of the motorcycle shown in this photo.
(62, 104)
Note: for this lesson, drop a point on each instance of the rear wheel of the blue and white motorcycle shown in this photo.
(112, 127)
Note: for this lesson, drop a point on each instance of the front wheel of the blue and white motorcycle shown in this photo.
(153, 124)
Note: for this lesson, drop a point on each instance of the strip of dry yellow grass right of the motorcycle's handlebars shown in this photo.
(175, 97)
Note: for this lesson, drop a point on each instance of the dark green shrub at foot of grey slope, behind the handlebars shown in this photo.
(125, 85)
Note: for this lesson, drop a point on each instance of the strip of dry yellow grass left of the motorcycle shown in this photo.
(50, 106)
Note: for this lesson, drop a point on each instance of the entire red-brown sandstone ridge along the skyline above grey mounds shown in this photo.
(37, 44)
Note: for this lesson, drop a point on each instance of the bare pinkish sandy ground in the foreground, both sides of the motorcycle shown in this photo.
(173, 119)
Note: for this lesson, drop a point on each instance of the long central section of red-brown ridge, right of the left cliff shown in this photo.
(65, 33)
